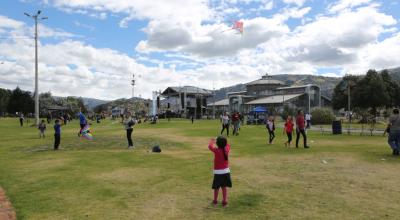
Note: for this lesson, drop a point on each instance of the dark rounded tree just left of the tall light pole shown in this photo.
(20, 101)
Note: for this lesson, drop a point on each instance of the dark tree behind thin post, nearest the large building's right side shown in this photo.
(340, 92)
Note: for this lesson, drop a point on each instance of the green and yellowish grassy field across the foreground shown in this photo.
(340, 177)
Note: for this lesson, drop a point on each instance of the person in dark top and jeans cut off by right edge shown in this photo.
(394, 132)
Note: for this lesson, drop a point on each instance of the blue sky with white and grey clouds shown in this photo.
(92, 48)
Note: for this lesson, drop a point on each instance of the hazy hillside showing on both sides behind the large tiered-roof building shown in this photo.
(327, 84)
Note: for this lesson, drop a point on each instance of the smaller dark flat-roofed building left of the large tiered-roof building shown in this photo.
(185, 101)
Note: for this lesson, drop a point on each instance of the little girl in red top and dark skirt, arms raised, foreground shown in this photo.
(222, 176)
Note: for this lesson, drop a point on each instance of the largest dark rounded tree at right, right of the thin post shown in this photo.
(371, 92)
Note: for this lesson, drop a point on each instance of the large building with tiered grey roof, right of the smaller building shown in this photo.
(273, 94)
